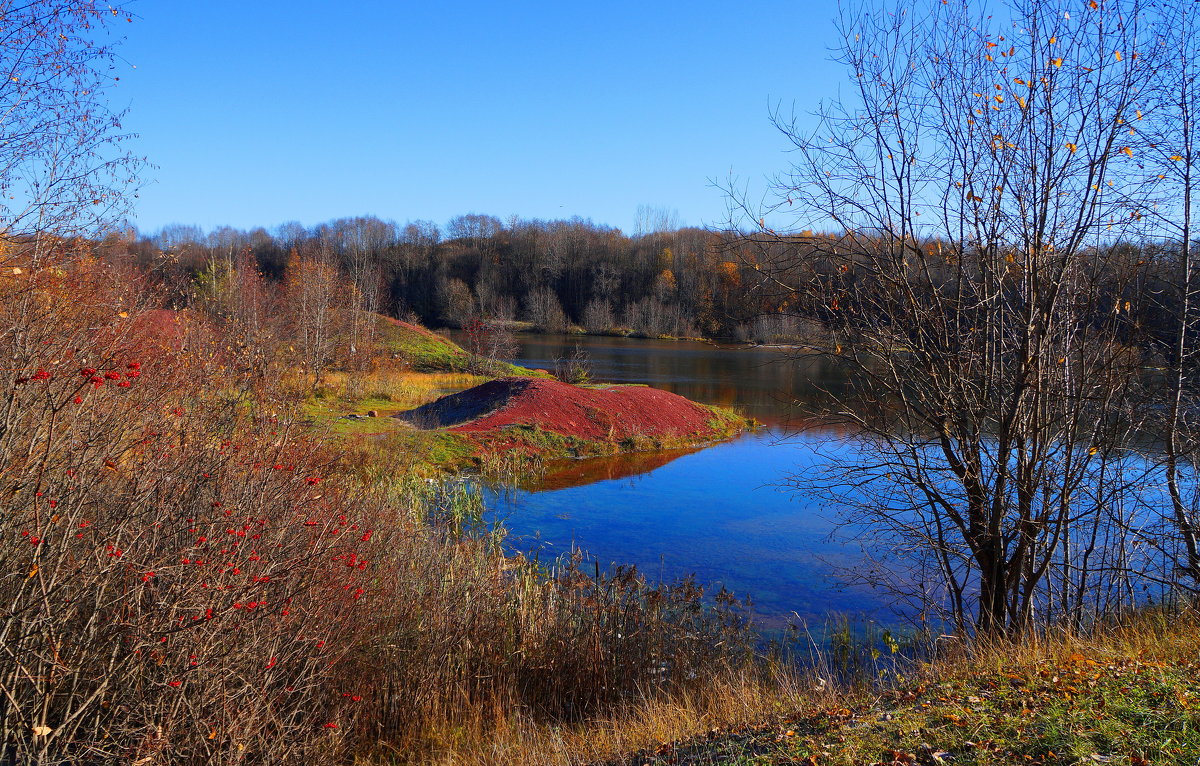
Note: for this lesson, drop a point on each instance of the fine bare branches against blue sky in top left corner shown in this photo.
(63, 167)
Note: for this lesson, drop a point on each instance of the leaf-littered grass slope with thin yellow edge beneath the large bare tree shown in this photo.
(1130, 695)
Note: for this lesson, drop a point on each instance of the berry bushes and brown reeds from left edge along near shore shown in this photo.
(188, 577)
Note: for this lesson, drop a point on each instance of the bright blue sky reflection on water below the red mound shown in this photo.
(718, 513)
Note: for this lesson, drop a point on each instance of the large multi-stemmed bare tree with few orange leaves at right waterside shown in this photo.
(977, 176)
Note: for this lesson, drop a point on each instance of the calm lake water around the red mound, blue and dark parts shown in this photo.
(722, 513)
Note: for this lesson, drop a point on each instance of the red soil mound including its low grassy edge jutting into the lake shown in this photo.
(621, 417)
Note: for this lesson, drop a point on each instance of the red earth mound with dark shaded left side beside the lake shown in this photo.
(608, 415)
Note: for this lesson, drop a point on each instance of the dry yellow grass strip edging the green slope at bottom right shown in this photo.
(749, 720)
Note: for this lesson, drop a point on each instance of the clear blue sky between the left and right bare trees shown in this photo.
(269, 111)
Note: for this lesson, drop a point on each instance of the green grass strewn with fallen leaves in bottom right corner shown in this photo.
(1117, 709)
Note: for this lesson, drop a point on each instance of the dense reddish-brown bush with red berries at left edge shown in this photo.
(177, 572)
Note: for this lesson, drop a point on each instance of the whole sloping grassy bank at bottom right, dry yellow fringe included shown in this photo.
(1125, 695)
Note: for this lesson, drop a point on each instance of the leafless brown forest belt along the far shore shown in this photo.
(575, 274)
